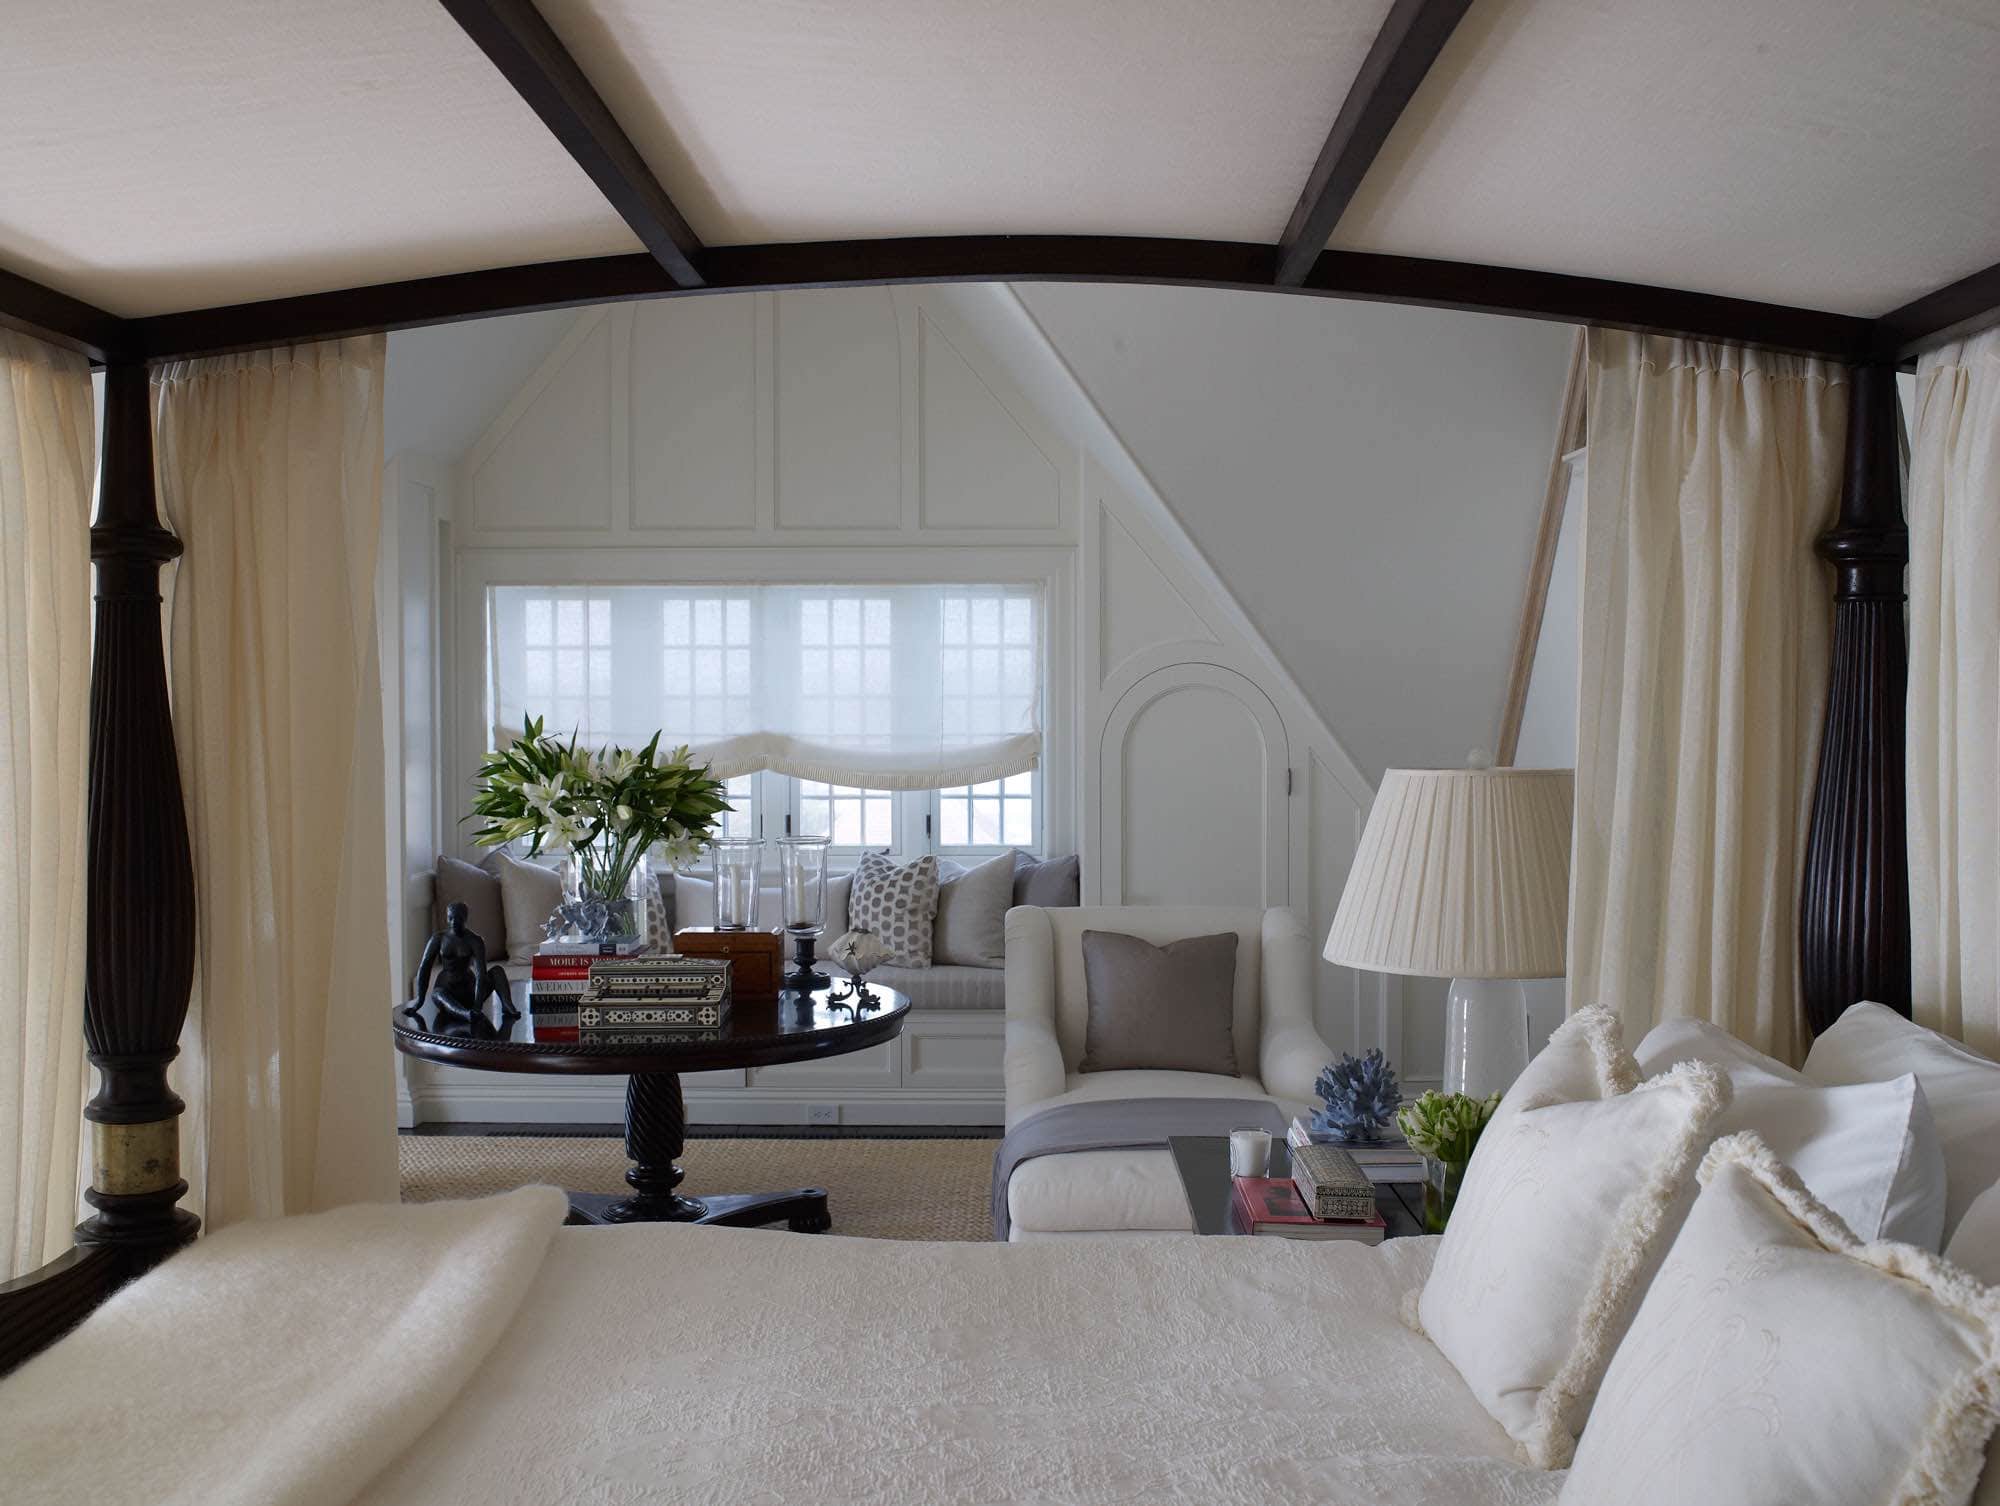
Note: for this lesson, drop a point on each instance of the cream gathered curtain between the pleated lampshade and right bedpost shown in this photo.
(1703, 683)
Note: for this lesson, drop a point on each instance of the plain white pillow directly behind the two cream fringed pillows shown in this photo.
(1867, 1151)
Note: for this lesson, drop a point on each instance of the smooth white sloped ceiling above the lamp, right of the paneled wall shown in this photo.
(1365, 479)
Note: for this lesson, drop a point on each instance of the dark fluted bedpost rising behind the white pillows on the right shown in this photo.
(1855, 901)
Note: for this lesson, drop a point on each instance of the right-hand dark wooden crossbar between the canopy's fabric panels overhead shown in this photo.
(1397, 63)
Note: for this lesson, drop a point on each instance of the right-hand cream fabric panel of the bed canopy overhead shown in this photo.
(1837, 155)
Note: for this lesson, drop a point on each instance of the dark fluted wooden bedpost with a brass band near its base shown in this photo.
(141, 941)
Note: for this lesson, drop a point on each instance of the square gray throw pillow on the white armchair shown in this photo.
(1161, 1009)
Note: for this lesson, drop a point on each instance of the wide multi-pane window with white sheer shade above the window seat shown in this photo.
(777, 683)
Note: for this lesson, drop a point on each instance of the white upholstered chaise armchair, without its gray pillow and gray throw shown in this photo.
(1279, 1057)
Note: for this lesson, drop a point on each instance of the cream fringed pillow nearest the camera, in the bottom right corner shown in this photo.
(1779, 1359)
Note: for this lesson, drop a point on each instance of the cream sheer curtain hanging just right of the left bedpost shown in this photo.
(271, 471)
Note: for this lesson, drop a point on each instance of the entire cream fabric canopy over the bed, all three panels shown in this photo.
(1833, 155)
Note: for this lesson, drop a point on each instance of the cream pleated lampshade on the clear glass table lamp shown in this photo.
(1461, 875)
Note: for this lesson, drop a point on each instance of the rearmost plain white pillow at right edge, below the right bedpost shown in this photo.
(1873, 1043)
